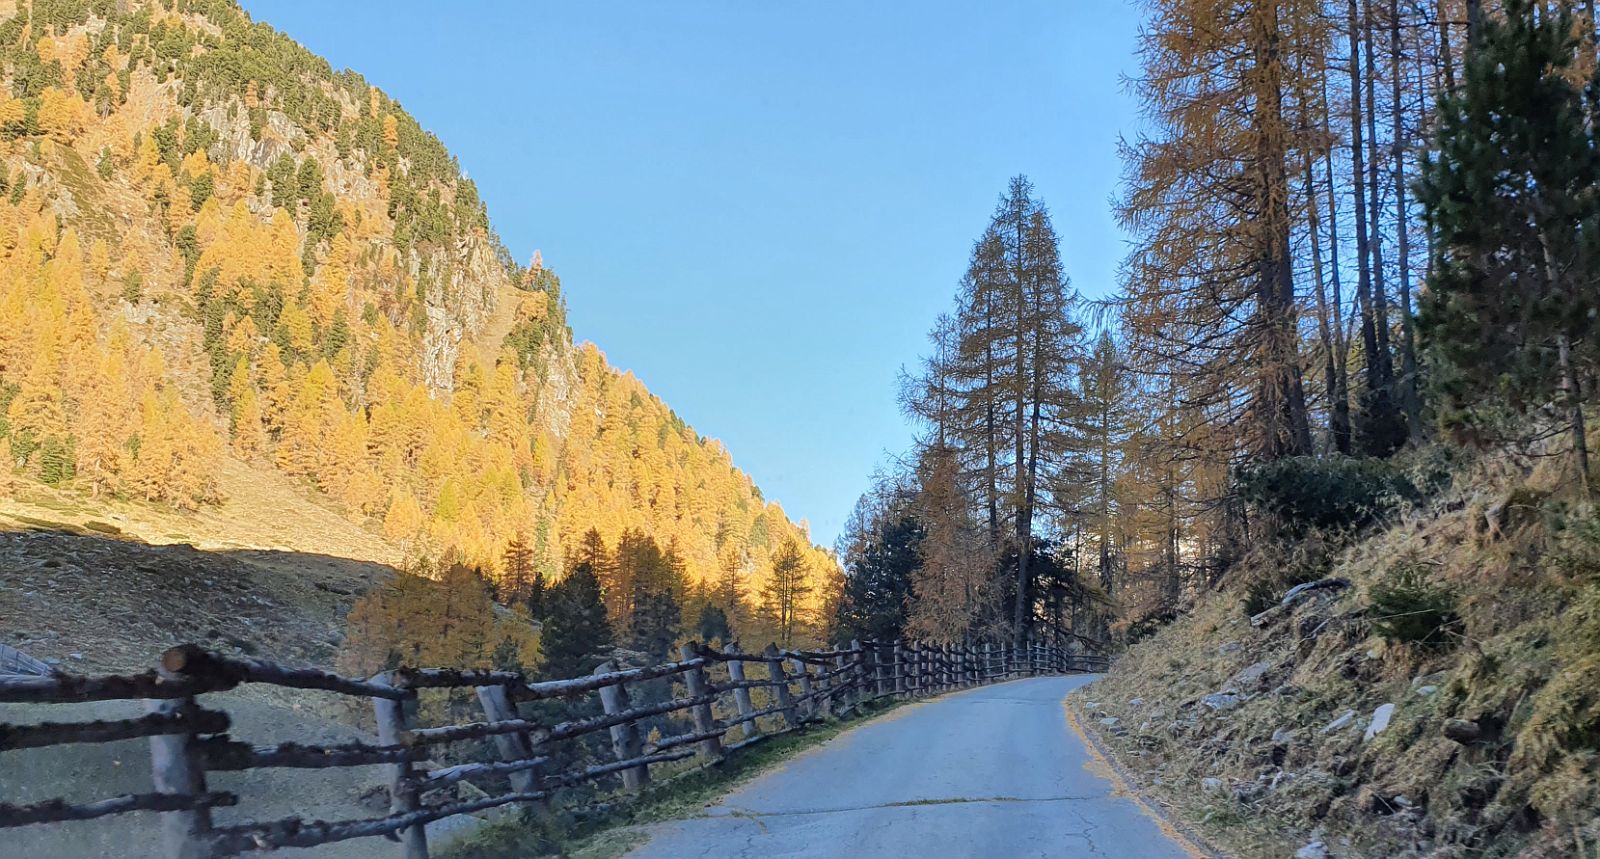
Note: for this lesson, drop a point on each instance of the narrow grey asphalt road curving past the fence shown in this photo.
(993, 772)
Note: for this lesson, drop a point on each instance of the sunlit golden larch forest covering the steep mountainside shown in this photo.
(215, 247)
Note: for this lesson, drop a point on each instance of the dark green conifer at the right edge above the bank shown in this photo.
(1511, 196)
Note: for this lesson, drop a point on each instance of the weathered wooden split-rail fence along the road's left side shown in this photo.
(188, 741)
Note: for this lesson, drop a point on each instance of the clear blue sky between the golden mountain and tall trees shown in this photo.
(761, 209)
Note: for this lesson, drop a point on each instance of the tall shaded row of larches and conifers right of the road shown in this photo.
(1359, 228)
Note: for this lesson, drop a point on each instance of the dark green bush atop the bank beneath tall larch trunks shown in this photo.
(1337, 492)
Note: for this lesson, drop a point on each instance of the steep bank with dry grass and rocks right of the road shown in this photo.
(1438, 698)
